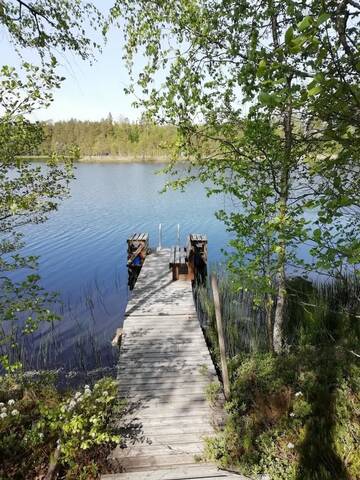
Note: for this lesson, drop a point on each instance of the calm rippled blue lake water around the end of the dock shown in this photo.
(82, 249)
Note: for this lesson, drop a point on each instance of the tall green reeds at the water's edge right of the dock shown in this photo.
(316, 313)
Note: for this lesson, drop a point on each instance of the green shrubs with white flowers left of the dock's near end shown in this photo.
(36, 419)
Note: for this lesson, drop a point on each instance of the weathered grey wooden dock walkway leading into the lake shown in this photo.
(164, 370)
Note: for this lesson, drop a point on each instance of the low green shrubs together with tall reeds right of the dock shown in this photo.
(293, 416)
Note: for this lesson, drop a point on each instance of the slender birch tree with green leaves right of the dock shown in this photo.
(246, 85)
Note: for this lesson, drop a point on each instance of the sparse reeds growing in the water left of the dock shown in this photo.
(77, 342)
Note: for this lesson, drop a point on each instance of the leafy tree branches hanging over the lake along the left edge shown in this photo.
(27, 192)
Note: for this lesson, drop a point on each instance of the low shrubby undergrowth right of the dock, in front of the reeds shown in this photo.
(293, 416)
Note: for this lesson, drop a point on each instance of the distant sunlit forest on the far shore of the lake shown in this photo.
(107, 137)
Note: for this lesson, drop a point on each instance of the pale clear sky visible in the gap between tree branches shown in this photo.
(89, 92)
